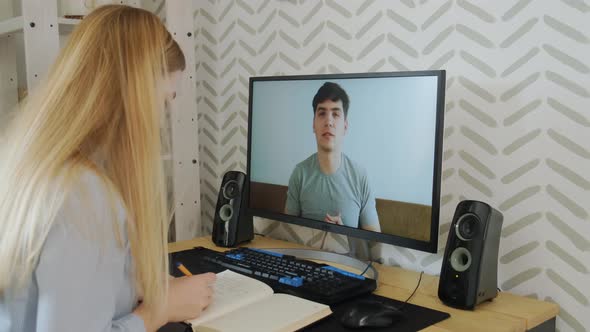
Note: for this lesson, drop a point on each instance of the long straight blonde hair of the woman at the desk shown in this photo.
(104, 95)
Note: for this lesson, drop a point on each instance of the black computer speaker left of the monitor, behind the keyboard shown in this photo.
(231, 225)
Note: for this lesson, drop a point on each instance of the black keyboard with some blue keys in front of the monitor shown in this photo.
(287, 274)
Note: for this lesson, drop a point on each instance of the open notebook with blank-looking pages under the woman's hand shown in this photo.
(245, 304)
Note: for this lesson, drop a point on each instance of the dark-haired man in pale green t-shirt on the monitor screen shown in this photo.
(328, 185)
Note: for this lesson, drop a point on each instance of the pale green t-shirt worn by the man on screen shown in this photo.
(313, 194)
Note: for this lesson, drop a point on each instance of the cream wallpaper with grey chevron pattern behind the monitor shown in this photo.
(517, 118)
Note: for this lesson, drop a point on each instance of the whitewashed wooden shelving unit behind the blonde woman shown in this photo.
(33, 30)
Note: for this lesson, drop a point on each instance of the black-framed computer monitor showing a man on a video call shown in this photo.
(354, 154)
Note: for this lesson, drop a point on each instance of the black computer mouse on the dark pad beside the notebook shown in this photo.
(370, 314)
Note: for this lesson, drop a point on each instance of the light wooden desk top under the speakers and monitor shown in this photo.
(507, 312)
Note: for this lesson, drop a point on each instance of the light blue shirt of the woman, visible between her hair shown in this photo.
(84, 274)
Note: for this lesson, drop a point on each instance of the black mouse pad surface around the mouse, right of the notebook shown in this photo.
(416, 317)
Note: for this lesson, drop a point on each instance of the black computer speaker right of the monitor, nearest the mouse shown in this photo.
(469, 272)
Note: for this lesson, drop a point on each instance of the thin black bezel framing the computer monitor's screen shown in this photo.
(427, 246)
